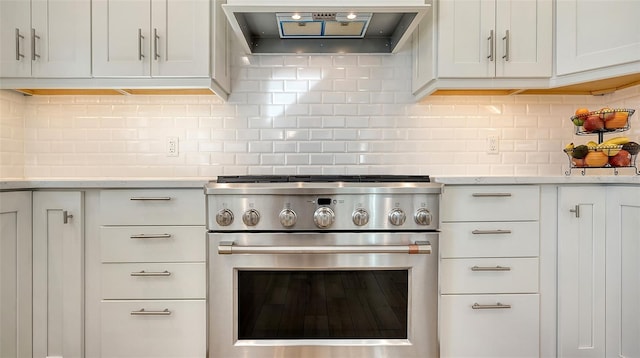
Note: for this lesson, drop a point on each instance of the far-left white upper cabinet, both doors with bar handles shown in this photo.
(40, 38)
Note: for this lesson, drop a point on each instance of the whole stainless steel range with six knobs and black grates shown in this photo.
(322, 266)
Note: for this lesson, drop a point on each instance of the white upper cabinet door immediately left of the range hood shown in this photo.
(180, 38)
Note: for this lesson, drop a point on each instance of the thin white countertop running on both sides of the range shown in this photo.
(199, 183)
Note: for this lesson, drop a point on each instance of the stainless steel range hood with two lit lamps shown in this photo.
(326, 26)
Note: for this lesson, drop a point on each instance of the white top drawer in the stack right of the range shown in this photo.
(490, 203)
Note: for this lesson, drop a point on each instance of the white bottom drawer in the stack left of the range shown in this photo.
(179, 332)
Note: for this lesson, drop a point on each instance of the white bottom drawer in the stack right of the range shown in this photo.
(489, 332)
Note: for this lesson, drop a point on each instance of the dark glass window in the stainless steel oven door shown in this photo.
(322, 304)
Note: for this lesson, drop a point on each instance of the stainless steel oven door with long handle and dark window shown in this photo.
(312, 295)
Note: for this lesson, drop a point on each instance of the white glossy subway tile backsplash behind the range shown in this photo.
(295, 114)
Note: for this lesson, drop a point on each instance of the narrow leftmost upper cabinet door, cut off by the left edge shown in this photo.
(15, 32)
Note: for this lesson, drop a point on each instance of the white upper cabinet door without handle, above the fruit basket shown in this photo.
(596, 34)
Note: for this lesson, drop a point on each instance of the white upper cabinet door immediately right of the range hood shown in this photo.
(466, 38)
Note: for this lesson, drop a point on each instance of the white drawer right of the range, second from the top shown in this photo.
(489, 239)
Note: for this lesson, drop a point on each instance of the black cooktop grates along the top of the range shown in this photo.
(324, 178)
